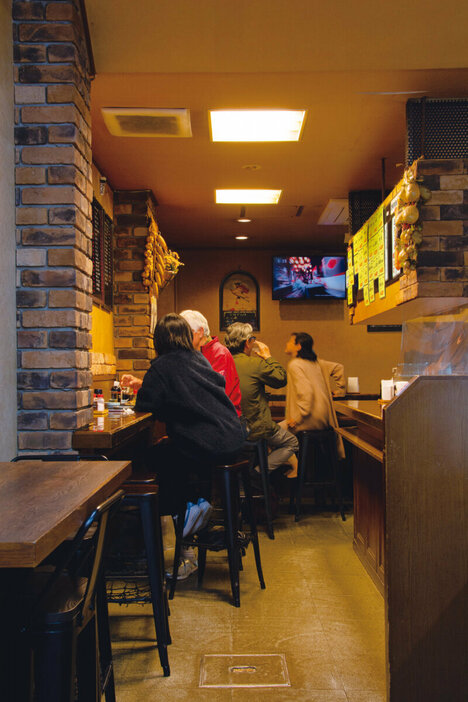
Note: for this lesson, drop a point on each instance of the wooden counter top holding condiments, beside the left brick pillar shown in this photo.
(110, 432)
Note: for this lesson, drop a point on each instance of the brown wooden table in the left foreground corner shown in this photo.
(41, 504)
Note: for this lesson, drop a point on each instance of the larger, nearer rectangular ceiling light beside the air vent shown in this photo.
(256, 125)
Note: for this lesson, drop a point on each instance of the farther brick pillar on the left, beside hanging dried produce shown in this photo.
(133, 341)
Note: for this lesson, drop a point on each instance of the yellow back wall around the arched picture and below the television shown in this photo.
(370, 357)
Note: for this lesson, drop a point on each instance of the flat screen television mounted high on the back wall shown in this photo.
(309, 277)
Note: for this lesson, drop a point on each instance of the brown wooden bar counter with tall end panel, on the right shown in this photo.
(411, 530)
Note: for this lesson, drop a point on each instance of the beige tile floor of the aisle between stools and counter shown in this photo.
(319, 608)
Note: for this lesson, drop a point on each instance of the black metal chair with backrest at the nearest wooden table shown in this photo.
(67, 623)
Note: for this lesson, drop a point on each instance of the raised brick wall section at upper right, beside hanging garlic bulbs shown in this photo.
(443, 255)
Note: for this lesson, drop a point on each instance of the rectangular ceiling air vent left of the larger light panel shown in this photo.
(147, 122)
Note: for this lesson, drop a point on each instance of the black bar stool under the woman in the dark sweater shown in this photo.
(230, 475)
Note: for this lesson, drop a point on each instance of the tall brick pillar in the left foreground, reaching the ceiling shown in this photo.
(53, 215)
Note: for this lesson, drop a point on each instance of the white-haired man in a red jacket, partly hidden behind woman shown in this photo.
(215, 353)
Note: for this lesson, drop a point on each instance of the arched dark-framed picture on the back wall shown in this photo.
(239, 300)
